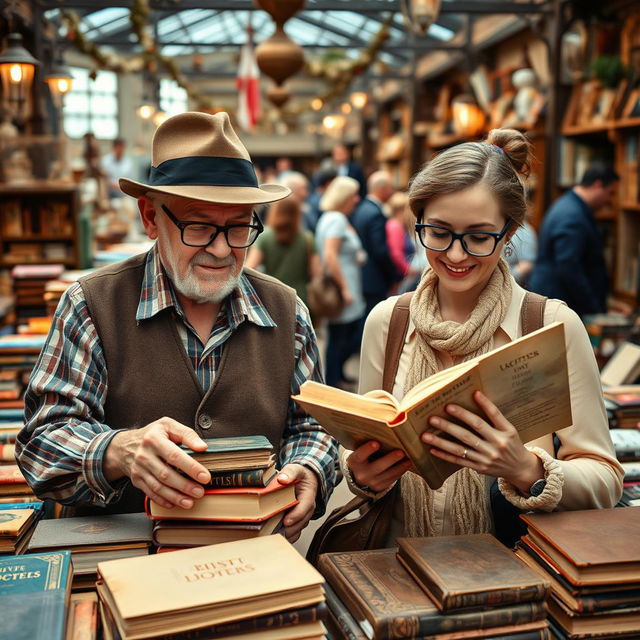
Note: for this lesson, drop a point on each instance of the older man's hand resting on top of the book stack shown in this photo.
(150, 456)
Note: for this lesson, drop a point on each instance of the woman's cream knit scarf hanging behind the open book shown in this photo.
(469, 505)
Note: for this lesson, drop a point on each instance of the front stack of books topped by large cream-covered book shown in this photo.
(261, 586)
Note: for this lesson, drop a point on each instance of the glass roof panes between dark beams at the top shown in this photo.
(183, 32)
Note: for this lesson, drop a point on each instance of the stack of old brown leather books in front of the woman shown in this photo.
(443, 588)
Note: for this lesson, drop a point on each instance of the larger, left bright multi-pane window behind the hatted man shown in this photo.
(92, 105)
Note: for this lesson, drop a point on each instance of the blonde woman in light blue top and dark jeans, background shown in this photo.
(341, 254)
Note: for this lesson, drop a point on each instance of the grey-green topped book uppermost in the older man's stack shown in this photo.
(228, 454)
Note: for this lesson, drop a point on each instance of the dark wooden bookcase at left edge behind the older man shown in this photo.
(39, 223)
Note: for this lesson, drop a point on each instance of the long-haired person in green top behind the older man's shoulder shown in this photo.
(284, 250)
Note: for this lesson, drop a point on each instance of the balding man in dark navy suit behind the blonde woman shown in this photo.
(378, 273)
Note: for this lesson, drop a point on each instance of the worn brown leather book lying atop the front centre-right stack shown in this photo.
(460, 572)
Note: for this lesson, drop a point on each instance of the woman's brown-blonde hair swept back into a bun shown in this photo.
(502, 163)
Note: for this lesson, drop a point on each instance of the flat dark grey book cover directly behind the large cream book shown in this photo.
(91, 531)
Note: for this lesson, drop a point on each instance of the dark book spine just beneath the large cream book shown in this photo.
(271, 621)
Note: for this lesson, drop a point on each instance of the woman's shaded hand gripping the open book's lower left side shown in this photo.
(378, 474)
